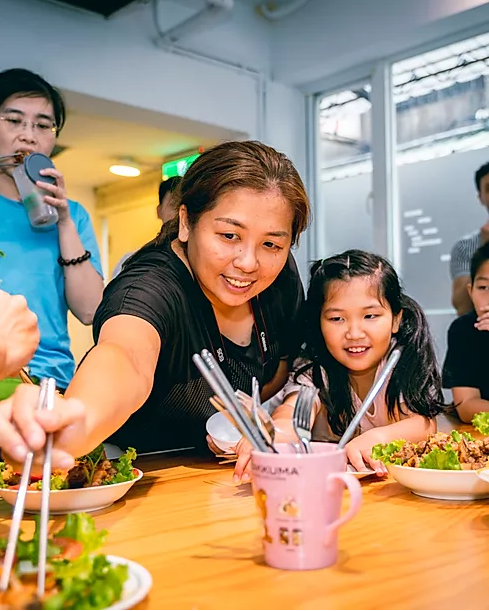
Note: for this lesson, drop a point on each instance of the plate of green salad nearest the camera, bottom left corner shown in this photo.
(78, 575)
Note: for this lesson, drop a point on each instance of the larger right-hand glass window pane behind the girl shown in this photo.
(442, 119)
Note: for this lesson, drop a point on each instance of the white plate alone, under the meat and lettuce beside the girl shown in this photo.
(439, 484)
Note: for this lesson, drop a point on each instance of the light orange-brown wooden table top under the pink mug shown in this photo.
(199, 536)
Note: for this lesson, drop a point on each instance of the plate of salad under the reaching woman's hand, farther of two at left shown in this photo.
(94, 483)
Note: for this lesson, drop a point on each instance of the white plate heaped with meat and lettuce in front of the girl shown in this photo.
(444, 466)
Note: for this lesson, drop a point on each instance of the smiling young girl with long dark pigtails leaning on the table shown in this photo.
(355, 308)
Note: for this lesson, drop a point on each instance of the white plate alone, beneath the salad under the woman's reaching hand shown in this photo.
(73, 500)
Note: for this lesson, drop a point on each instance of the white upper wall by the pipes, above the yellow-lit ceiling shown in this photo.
(116, 60)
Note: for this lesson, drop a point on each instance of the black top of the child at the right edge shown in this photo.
(467, 359)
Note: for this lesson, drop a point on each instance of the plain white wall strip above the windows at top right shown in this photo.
(328, 38)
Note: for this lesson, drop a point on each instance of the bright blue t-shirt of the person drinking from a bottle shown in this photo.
(30, 268)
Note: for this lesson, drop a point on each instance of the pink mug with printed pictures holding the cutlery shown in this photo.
(299, 499)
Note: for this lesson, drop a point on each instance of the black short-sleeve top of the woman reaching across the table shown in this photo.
(156, 285)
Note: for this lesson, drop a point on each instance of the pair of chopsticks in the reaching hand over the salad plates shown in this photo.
(47, 393)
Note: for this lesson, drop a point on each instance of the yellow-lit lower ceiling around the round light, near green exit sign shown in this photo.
(99, 133)
